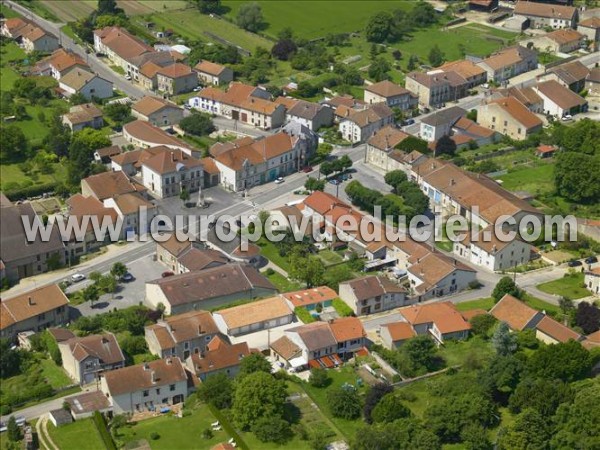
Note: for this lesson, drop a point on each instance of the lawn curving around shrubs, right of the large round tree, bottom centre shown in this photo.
(339, 376)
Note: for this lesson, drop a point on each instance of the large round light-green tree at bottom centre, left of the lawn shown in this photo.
(257, 395)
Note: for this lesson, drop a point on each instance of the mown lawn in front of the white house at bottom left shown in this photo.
(175, 433)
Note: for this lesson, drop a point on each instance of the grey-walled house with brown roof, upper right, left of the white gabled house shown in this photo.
(509, 62)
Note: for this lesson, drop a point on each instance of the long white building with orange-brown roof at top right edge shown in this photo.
(542, 15)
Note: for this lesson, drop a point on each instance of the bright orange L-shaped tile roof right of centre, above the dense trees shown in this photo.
(444, 315)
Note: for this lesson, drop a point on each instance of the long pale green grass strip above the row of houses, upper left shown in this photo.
(193, 25)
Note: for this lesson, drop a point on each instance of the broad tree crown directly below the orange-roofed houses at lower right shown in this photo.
(567, 361)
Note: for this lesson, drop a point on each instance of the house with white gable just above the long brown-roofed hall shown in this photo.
(182, 257)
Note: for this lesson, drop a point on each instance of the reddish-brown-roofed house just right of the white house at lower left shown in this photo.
(219, 357)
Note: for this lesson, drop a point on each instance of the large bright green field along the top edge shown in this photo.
(313, 19)
